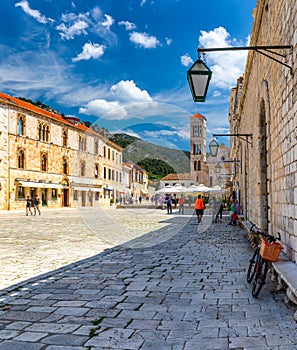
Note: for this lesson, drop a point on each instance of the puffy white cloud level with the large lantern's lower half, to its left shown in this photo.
(127, 92)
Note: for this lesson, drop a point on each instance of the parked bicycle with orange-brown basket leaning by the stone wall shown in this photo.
(268, 251)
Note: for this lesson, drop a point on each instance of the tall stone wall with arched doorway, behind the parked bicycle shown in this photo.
(264, 104)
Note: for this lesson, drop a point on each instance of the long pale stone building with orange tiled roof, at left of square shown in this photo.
(58, 158)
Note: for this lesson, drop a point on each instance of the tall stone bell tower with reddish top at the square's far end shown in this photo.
(198, 166)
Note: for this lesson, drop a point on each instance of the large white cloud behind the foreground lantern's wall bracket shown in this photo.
(226, 66)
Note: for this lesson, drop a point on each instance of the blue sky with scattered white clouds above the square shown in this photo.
(123, 63)
